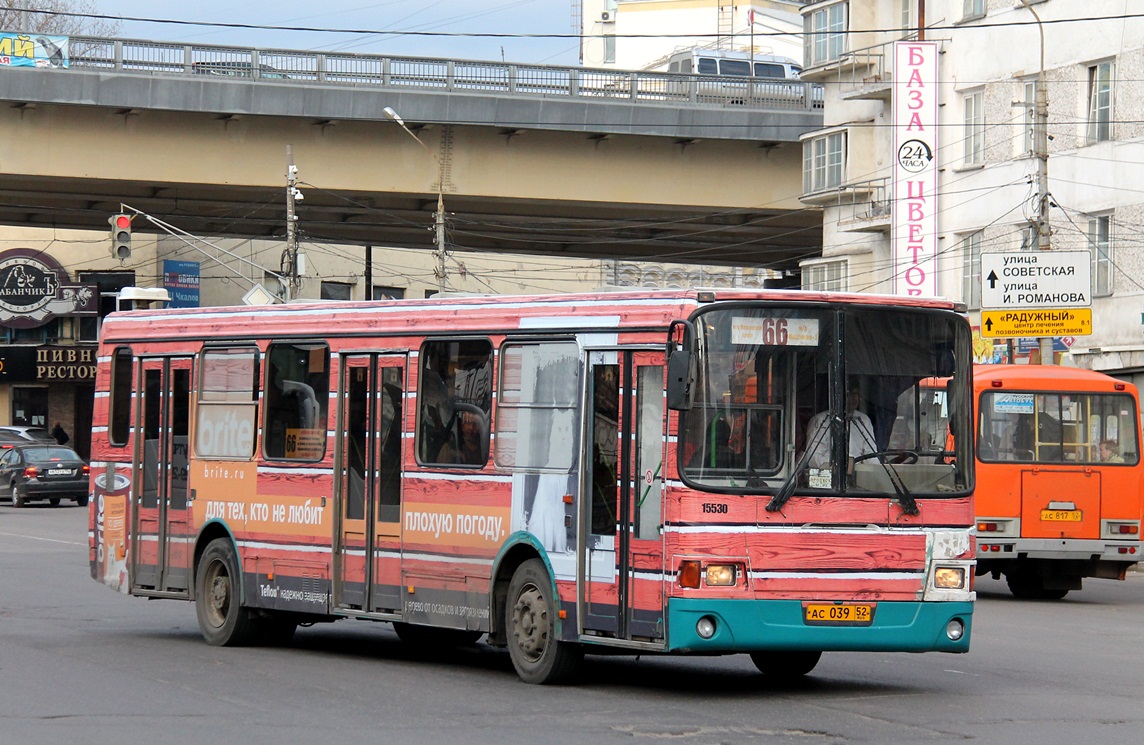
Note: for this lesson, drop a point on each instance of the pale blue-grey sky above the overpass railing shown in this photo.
(455, 17)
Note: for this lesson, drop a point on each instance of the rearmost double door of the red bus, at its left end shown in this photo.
(162, 548)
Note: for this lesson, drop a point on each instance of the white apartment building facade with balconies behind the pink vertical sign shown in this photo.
(991, 59)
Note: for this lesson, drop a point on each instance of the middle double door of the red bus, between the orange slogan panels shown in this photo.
(371, 417)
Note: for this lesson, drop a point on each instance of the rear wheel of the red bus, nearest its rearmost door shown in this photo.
(218, 598)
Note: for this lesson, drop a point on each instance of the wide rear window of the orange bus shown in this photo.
(1058, 427)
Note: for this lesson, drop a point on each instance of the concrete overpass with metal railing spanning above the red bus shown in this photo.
(529, 158)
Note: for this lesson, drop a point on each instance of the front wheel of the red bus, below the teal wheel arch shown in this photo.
(538, 656)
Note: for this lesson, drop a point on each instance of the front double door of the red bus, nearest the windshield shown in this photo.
(623, 574)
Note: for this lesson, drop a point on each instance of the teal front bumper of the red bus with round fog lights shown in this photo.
(754, 625)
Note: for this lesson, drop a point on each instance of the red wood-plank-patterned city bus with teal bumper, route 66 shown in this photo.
(565, 475)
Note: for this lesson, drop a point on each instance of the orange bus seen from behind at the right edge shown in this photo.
(1060, 478)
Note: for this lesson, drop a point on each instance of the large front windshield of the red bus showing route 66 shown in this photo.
(830, 398)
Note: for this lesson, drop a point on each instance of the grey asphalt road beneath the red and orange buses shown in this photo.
(82, 664)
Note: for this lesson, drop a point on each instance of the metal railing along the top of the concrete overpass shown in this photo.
(431, 74)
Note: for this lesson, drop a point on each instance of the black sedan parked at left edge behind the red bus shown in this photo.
(42, 471)
